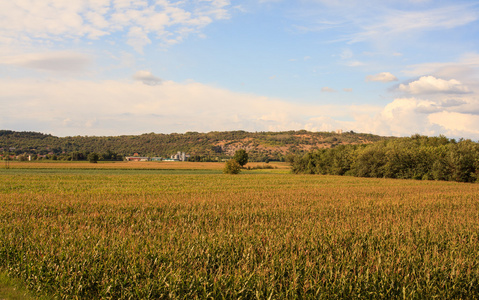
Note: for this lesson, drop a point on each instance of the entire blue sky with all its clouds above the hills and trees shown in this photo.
(116, 67)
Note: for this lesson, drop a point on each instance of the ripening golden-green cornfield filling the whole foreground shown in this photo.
(154, 231)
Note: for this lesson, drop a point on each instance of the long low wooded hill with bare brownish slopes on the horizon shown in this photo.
(260, 145)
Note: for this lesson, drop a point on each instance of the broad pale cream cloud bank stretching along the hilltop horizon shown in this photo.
(75, 107)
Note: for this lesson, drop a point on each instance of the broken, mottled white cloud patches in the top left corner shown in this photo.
(51, 20)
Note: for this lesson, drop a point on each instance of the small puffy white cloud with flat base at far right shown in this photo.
(431, 85)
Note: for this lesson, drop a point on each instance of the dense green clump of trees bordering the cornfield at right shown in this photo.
(417, 157)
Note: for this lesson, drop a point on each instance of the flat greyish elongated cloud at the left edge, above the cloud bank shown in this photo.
(50, 61)
